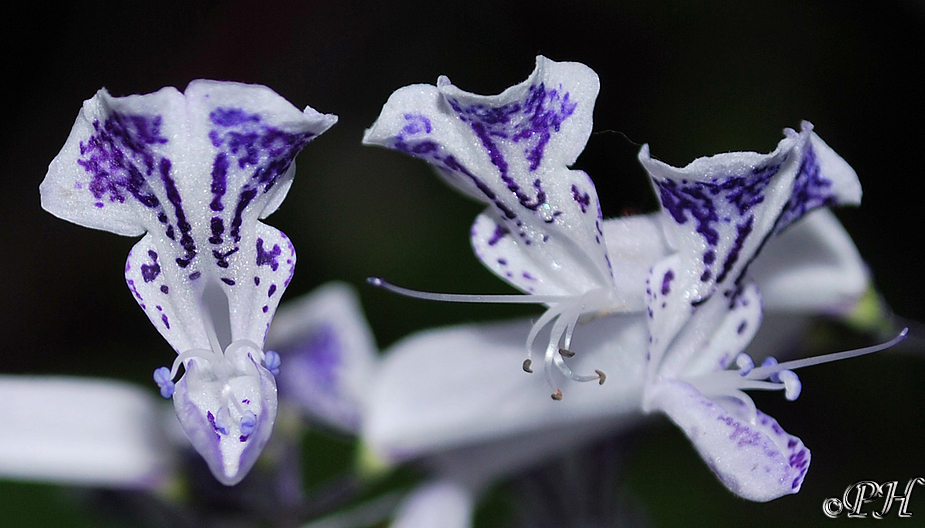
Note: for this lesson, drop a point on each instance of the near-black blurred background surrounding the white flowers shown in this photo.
(689, 78)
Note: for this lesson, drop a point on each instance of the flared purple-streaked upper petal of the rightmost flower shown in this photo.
(721, 210)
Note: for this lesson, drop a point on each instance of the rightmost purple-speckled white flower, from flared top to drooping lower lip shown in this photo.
(703, 309)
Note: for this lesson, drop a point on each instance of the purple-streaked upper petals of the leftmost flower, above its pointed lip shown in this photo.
(195, 171)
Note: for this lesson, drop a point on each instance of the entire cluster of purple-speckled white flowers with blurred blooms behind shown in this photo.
(658, 309)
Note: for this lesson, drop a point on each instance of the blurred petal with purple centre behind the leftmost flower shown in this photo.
(329, 355)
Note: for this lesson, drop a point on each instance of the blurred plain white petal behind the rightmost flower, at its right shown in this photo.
(812, 267)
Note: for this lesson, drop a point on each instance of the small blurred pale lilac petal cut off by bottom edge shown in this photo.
(436, 504)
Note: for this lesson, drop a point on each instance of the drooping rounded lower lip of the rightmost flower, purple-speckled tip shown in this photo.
(759, 461)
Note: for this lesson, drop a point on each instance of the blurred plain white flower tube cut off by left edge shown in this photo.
(84, 431)
